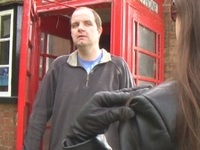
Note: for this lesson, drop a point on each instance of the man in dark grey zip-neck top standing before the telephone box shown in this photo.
(73, 79)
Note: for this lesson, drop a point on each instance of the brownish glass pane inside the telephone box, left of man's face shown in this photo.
(58, 46)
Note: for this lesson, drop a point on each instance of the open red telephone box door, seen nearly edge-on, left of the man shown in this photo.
(28, 68)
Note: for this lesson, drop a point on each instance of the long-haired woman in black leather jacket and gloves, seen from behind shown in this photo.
(166, 117)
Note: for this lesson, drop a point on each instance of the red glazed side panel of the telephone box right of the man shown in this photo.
(144, 33)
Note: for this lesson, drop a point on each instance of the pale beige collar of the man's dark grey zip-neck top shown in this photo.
(73, 58)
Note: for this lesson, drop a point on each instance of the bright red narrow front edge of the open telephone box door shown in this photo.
(22, 73)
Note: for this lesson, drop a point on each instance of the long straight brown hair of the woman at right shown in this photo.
(188, 74)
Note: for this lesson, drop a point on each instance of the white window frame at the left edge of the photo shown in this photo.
(10, 39)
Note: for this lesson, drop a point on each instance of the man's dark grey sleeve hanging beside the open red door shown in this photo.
(41, 112)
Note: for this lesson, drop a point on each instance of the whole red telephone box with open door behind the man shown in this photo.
(133, 29)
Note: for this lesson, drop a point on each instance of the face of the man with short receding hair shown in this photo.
(84, 30)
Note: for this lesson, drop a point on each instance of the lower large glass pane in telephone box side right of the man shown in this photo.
(146, 65)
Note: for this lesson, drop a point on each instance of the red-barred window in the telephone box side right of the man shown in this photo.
(146, 56)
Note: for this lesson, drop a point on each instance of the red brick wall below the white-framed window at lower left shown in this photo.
(8, 126)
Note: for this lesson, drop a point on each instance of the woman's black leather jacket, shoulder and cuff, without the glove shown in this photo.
(152, 128)
